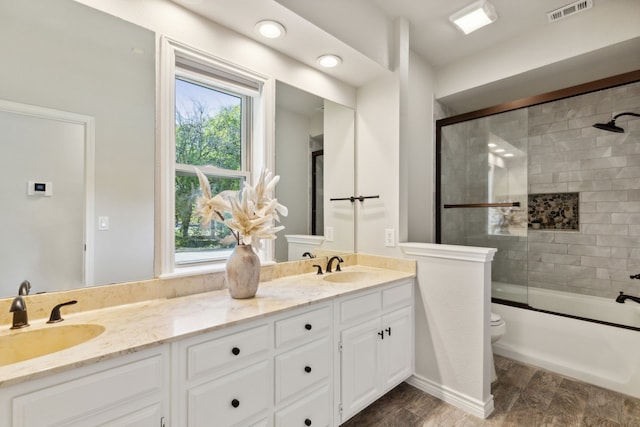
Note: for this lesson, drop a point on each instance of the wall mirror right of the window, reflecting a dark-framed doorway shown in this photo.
(315, 161)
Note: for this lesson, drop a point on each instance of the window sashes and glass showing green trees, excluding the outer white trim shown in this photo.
(211, 133)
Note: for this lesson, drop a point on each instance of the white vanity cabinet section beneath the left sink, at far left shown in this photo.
(127, 391)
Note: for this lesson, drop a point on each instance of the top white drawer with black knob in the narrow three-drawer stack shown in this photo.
(303, 326)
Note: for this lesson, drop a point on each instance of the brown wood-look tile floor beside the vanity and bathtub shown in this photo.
(524, 396)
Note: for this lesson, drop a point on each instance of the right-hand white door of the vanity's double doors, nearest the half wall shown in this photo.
(397, 347)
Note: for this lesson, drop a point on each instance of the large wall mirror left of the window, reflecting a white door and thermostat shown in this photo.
(65, 57)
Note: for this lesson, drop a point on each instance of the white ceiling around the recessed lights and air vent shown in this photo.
(345, 27)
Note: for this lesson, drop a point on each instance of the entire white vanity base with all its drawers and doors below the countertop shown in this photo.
(314, 365)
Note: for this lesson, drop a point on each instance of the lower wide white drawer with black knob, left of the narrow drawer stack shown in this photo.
(231, 399)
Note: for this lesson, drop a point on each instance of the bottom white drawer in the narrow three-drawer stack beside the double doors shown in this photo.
(312, 410)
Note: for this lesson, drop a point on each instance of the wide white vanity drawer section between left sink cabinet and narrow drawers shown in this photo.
(224, 378)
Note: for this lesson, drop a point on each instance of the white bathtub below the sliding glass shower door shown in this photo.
(597, 353)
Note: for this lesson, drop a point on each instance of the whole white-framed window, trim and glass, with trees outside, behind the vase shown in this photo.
(213, 119)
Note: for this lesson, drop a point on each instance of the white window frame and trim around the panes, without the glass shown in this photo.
(182, 61)
